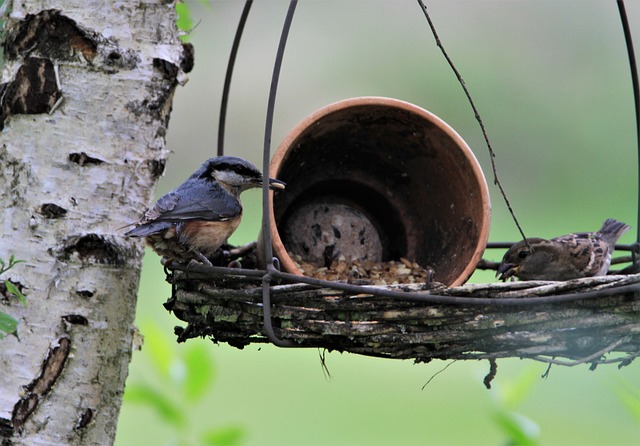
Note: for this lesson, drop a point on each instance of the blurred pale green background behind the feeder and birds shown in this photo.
(551, 81)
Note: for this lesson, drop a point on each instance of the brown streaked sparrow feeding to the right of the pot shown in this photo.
(571, 256)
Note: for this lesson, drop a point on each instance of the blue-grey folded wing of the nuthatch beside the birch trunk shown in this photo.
(193, 200)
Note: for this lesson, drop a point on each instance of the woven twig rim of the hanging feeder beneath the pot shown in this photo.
(600, 330)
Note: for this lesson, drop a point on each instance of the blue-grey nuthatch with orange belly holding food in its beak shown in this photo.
(194, 220)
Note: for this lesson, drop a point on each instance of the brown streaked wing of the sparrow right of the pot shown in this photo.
(588, 251)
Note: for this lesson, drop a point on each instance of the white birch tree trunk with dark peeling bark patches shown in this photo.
(85, 99)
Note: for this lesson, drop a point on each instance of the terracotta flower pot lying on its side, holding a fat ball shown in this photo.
(378, 178)
